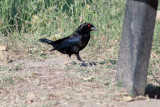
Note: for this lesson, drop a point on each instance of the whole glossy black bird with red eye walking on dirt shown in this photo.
(73, 43)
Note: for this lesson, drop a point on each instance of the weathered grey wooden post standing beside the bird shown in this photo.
(135, 45)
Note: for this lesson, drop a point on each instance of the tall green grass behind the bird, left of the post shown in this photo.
(24, 22)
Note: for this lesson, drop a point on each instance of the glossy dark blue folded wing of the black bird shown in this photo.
(68, 42)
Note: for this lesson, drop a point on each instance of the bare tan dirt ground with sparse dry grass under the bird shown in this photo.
(63, 82)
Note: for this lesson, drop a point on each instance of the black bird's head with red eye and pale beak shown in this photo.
(86, 27)
